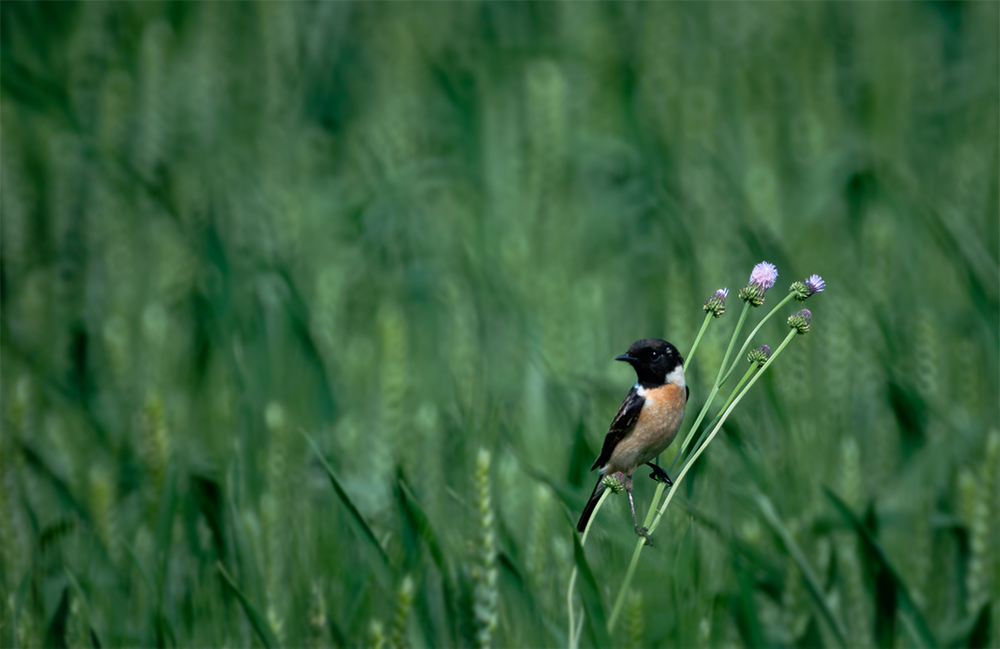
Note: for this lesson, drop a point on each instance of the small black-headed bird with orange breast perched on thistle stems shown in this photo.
(647, 421)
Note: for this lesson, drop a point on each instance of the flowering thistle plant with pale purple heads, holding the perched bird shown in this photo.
(762, 278)
